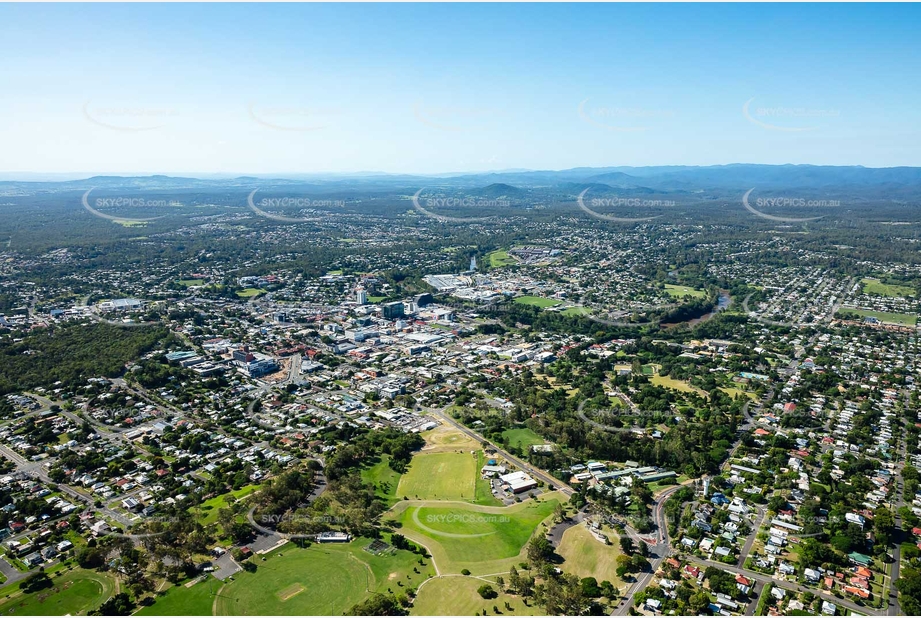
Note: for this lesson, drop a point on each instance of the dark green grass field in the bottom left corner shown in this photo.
(75, 592)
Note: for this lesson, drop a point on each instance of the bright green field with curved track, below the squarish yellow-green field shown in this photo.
(483, 539)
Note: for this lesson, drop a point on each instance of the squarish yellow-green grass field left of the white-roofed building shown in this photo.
(440, 476)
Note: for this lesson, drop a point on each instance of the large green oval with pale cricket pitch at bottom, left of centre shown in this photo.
(319, 580)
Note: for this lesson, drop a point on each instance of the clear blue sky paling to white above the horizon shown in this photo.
(435, 88)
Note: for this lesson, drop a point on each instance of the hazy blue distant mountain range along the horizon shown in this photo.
(735, 177)
